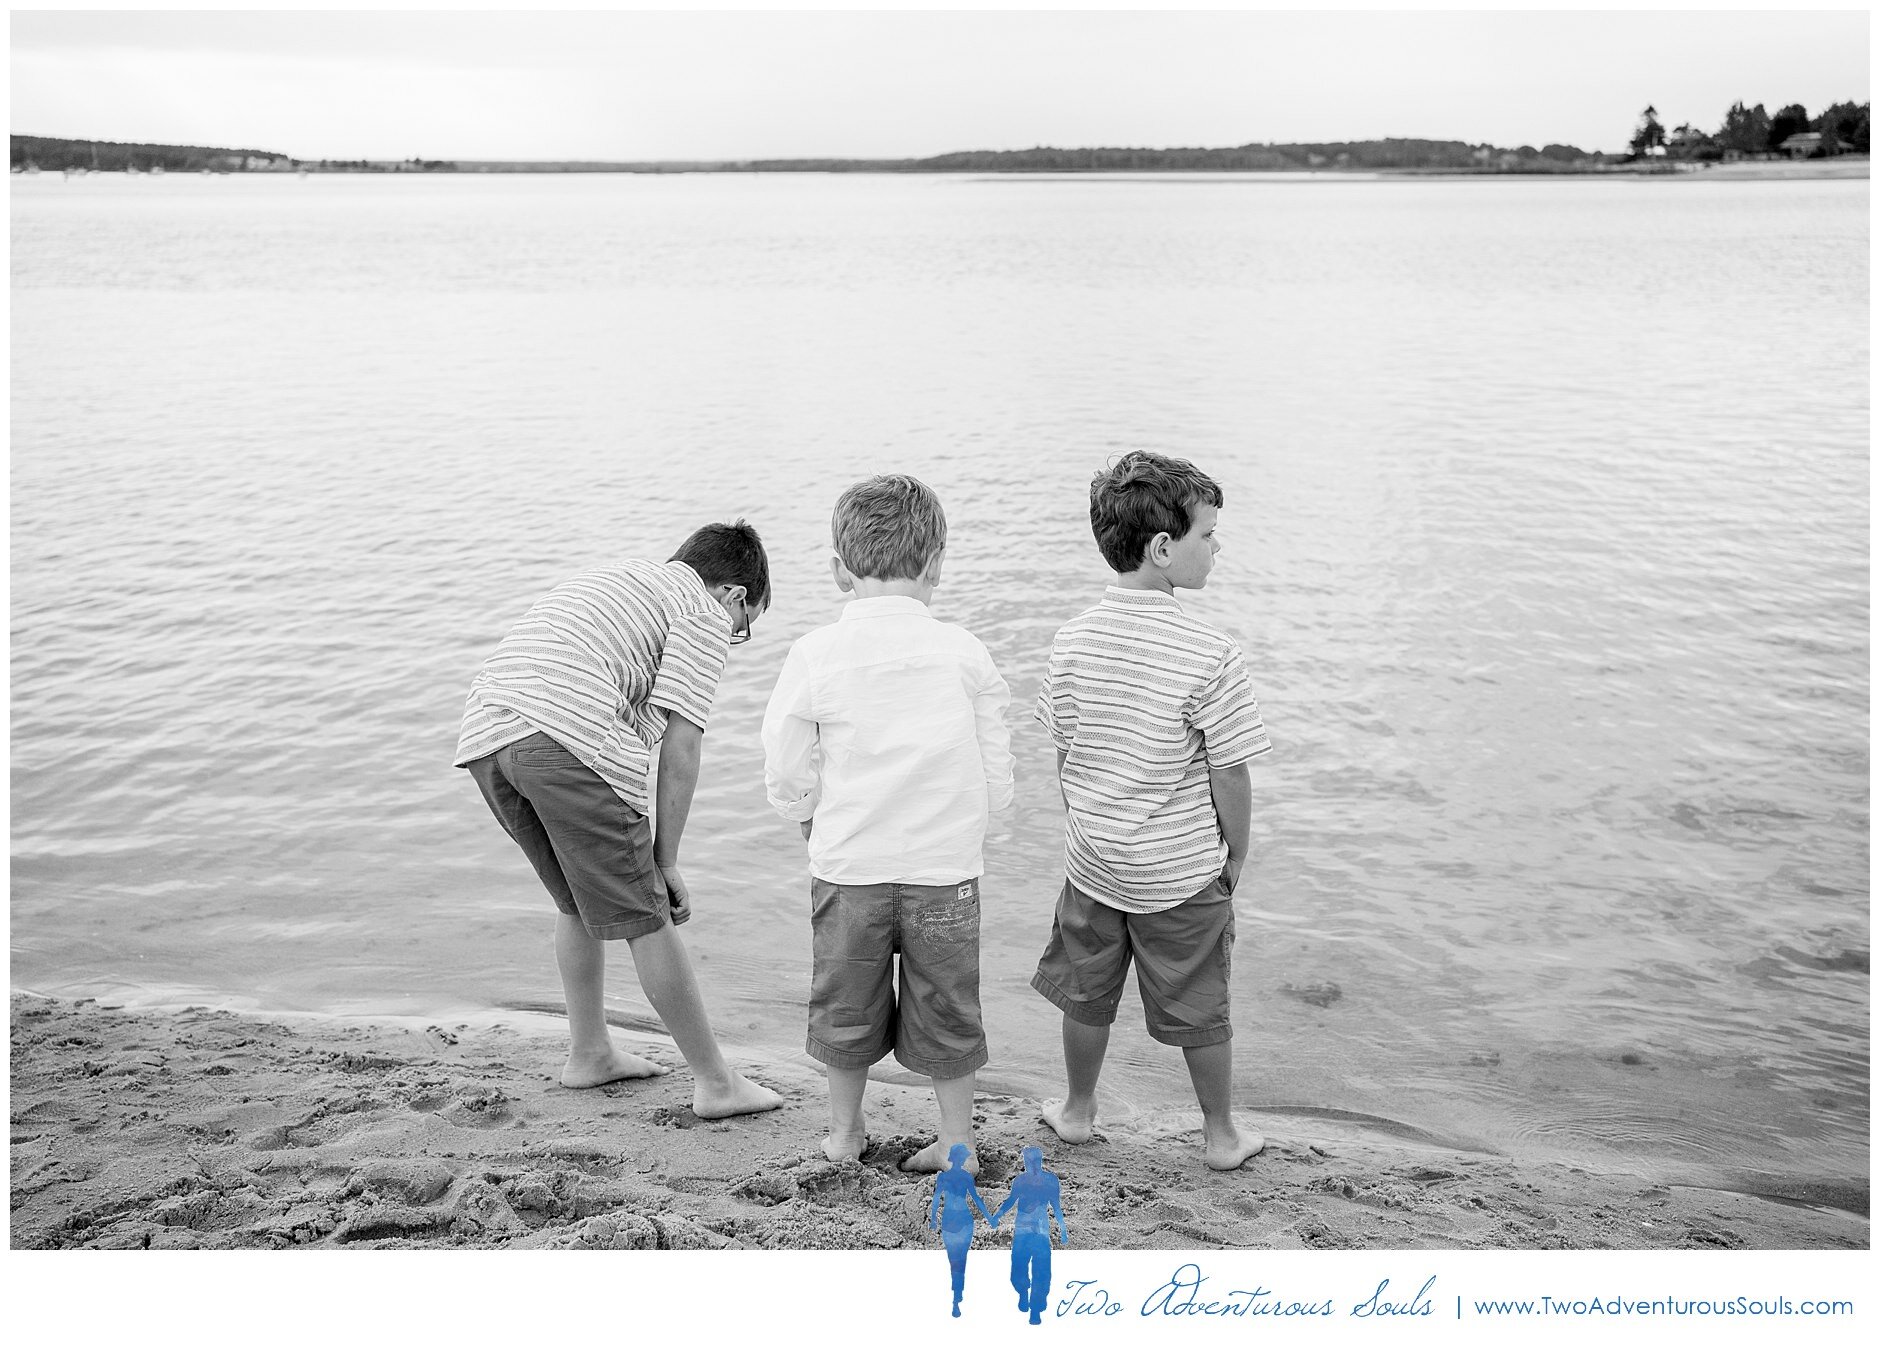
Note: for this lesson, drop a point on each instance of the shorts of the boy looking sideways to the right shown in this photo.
(1182, 964)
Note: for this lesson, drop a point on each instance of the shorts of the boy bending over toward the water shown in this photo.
(591, 851)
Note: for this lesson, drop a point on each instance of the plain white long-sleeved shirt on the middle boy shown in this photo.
(888, 731)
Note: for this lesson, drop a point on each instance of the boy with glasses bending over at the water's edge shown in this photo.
(559, 736)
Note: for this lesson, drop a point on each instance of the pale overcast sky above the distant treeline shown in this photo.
(903, 84)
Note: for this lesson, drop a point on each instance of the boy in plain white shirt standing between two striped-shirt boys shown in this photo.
(885, 740)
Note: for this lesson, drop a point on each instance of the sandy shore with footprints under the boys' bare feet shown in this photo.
(208, 1130)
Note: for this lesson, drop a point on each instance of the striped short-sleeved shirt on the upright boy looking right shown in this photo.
(1144, 703)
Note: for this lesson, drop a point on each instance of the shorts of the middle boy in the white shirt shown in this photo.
(856, 1017)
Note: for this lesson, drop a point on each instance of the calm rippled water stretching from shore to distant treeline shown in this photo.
(1546, 533)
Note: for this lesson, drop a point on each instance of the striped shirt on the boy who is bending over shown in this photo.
(599, 663)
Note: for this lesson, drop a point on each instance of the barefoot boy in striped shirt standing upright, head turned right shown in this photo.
(1155, 721)
